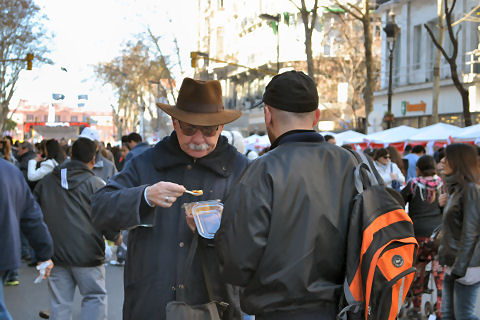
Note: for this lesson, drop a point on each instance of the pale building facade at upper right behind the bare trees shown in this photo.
(413, 61)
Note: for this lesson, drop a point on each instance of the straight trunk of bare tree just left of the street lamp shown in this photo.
(369, 87)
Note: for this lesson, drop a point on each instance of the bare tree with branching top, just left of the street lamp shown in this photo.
(360, 10)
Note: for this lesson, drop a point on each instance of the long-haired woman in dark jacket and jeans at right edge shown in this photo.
(460, 244)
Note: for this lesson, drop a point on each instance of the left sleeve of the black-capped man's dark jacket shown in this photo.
(243, 233)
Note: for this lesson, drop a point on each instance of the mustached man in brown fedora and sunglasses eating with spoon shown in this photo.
(147, 198)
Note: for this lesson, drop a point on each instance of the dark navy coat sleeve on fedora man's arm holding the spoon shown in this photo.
(117, 206)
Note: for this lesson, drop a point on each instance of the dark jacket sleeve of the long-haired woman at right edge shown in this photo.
(470, 230)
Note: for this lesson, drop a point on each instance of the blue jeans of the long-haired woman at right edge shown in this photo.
(458, 300)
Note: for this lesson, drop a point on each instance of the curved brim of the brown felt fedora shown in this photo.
(201, 119)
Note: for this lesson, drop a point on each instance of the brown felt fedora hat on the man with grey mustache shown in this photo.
(200, 103)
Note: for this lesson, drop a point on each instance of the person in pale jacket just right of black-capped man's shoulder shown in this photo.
(388, 170)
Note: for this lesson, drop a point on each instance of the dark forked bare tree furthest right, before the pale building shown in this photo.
(452, 59)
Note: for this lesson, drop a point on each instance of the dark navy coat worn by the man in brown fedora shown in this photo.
(160, 239)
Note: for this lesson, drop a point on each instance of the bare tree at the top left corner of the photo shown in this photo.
(21, 32)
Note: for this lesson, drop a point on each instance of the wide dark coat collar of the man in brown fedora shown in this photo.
(167, 154)
